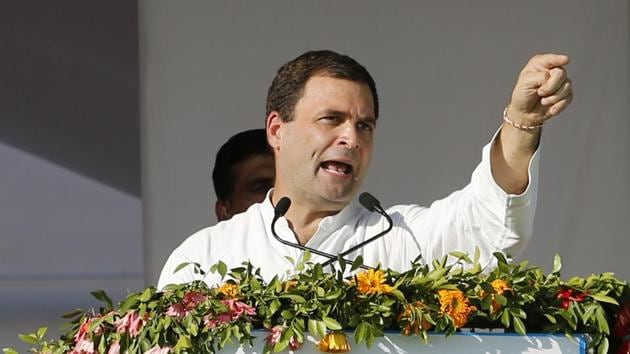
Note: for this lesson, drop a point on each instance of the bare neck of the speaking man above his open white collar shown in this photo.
(304, 217)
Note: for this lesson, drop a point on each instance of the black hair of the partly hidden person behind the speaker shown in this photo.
(237, 149)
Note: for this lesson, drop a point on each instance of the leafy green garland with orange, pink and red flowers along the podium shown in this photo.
(448, 295)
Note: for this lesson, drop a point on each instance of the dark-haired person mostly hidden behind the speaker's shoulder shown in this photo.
(243, 173)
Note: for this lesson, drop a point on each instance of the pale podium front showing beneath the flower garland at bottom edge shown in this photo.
(469, 343)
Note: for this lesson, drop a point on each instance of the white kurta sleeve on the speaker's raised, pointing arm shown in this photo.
(480, 215)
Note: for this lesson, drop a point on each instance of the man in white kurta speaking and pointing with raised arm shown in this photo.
(322, 114)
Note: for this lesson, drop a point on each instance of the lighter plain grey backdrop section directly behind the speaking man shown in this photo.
(444, 70)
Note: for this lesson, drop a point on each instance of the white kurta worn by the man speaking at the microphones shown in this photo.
(479, 215)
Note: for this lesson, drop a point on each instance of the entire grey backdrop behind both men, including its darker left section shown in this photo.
(70, 207)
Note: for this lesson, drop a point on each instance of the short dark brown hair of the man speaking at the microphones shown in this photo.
(288, 85)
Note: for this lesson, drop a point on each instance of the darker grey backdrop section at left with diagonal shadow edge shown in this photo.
(70, 207)
